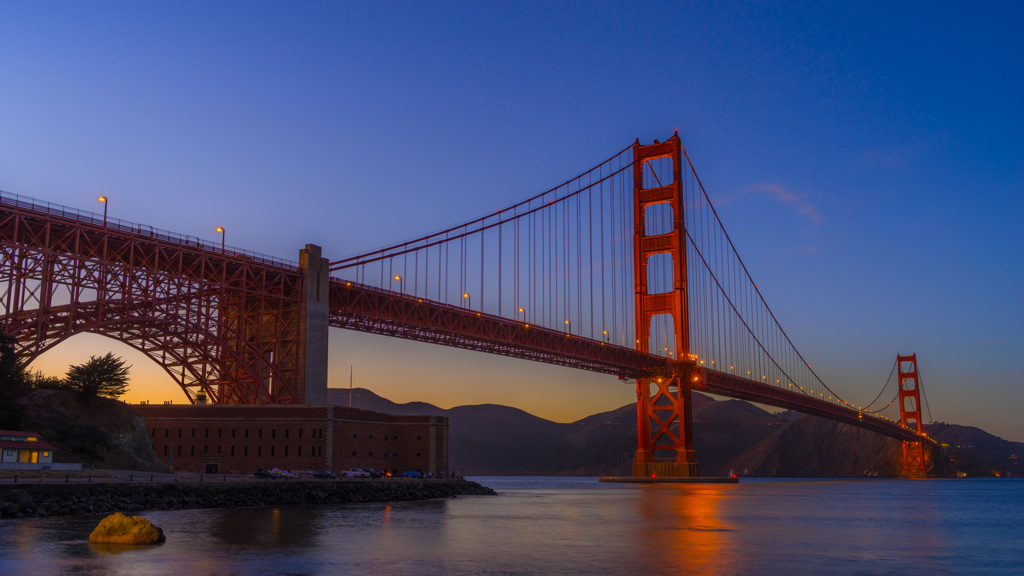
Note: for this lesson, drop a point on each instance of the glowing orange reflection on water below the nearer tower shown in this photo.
(682, 527)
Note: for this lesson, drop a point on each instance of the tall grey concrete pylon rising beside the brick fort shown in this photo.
(314, 313)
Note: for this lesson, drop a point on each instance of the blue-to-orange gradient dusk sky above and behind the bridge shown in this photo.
(867, 159)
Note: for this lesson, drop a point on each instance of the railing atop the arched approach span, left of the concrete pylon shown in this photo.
(141, 230)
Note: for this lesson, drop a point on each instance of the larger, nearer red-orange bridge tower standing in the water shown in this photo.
(664, 420)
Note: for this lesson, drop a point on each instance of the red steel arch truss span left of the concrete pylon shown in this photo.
(220, 322)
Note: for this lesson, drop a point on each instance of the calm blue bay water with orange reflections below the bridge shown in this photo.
(574, 526)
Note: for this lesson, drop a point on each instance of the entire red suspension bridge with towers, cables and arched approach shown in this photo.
(625, 270)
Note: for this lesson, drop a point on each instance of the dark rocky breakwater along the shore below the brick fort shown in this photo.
(47, 501)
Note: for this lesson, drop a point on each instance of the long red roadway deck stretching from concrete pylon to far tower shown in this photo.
(366, 309)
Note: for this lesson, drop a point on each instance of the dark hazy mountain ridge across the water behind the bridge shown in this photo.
(731, 436)
